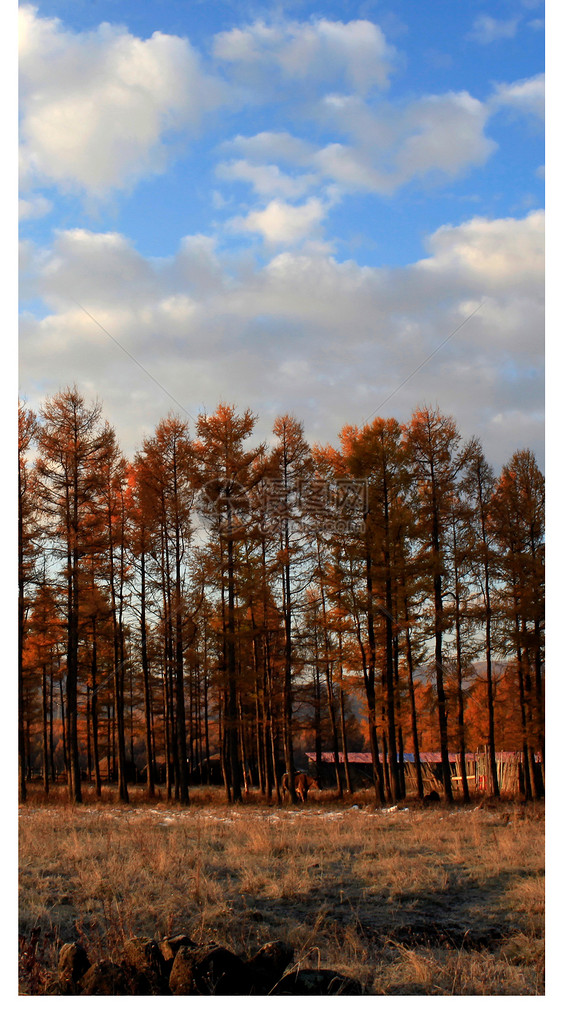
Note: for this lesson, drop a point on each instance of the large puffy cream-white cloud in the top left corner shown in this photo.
(97, 107)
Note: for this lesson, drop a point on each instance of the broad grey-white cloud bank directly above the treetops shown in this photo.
(329, 341)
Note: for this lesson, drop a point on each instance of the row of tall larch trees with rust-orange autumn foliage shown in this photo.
(216, 597)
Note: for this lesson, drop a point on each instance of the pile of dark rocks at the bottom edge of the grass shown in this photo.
(178, 967)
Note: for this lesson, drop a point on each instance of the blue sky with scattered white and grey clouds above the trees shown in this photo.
(288, 206)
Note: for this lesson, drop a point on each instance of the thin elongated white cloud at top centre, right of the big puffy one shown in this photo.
(315, 53)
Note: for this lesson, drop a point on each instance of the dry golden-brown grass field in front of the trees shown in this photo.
(441, 902)
